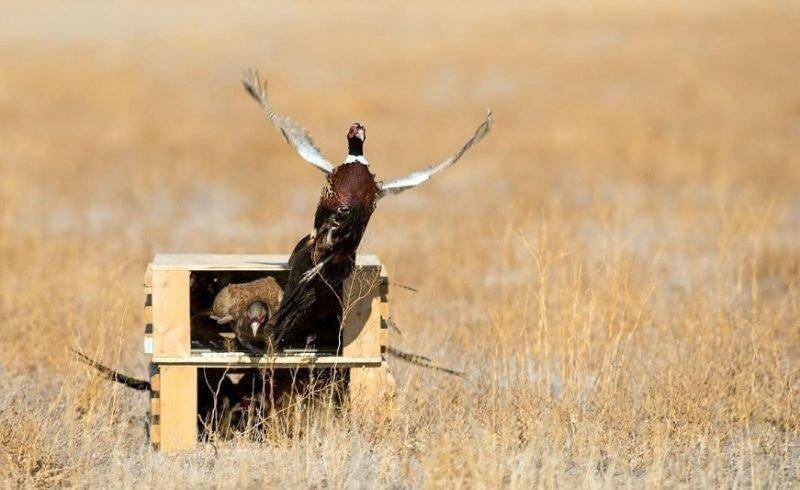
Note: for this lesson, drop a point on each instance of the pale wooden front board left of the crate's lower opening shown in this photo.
(178, 408)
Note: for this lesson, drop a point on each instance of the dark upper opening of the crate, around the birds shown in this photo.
(209, 336)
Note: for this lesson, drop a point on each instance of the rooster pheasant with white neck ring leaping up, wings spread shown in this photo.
(322, 260)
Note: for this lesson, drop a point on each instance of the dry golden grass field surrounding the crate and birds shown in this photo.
(617, 267)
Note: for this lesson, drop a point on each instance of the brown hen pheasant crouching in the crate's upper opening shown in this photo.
(247, 308)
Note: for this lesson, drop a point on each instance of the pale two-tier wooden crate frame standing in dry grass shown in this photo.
(175, 363)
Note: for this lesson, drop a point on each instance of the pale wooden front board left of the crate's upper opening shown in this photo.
(171, 335)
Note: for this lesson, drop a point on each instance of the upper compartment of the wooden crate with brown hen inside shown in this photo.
(204, 305)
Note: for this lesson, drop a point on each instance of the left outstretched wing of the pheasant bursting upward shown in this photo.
(295, 134)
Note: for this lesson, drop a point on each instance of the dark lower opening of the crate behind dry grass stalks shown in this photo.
(250, 402)
